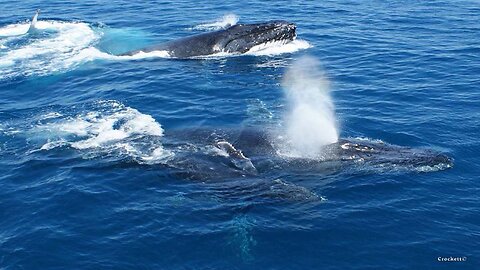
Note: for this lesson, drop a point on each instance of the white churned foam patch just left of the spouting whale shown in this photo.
(111, 127)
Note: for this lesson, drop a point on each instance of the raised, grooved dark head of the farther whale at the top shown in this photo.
(242, 37)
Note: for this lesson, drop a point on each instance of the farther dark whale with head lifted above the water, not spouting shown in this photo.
(236, 39)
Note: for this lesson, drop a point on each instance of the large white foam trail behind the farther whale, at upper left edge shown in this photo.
(68, 45)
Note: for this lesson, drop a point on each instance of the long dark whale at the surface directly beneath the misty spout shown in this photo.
(205, 154)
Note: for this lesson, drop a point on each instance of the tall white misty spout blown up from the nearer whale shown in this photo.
(310, 120)
